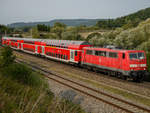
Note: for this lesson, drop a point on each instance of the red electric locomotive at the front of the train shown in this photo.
(120, 63)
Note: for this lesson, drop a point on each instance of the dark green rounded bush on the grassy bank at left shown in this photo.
(23, 74)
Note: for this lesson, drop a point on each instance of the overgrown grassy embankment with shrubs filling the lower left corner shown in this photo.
(25, 91)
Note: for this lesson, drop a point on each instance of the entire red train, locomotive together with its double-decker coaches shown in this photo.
(117, 62)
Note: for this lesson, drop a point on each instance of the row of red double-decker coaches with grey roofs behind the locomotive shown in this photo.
(63, 50)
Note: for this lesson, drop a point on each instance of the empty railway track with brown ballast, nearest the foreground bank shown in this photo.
(96, 94)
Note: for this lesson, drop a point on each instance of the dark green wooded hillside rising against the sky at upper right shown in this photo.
(126, 22)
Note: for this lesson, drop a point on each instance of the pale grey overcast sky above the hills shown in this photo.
(45, 10)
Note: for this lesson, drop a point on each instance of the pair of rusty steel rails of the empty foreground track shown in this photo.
(94, 90)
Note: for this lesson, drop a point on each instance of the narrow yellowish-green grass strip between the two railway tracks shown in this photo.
(117, 91)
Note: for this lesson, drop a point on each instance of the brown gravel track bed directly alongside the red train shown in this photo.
(99, 77)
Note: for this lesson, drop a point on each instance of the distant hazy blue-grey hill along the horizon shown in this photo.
(68, 22)
